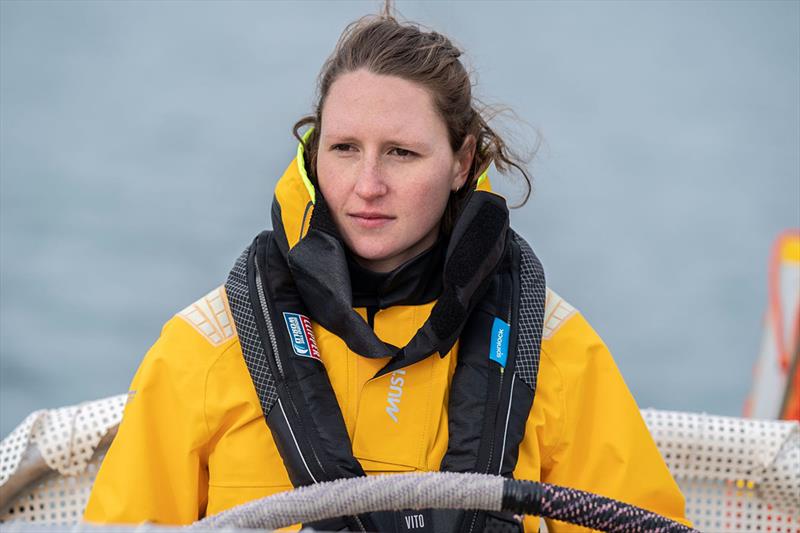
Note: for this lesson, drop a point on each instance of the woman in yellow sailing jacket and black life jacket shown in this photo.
(390, 322)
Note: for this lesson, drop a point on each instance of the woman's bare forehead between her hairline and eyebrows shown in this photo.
(361, 103)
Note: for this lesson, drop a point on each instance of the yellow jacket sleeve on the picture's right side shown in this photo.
(602, 444)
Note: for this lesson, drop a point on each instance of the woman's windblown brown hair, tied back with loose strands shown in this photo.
(383, 45)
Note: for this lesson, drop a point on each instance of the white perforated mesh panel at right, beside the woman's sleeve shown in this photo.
(736, 474)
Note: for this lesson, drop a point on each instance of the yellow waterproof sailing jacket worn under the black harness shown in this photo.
(193, 441)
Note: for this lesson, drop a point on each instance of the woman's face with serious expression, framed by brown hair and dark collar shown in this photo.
(385, 167)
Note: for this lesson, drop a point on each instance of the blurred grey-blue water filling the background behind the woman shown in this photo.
(140, 141)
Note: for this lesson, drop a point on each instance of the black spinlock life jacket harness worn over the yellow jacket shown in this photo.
(493, 294)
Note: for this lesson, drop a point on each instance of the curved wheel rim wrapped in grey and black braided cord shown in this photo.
(441, 490)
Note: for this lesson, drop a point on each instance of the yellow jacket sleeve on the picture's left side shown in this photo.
(155, 469)
